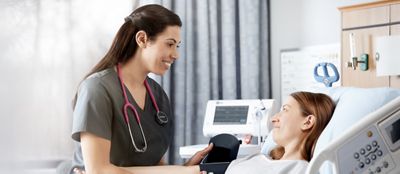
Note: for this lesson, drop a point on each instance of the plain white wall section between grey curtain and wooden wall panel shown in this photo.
(302, 23)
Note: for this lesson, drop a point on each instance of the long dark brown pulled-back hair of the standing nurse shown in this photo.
(152, 19)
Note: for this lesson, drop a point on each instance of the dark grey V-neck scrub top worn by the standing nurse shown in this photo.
(99, 110)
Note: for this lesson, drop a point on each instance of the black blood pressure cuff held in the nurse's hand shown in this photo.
(224, 151)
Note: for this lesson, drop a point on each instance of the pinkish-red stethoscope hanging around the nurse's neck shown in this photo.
(161, 117)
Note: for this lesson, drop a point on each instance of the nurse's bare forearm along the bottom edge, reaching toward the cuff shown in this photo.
(164, 170)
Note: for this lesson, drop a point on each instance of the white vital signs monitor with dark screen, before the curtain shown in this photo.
(238, 117)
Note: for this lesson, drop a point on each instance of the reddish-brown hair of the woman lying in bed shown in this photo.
(319, 105)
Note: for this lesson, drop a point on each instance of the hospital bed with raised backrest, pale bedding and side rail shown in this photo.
(363, 135)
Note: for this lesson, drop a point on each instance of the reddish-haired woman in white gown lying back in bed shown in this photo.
(296, 129)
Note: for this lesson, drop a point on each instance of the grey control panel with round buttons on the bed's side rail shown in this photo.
(372, 150)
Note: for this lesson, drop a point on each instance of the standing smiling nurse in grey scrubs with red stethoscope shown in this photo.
(122, 119)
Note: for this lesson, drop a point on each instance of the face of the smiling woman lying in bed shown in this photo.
(287, 123)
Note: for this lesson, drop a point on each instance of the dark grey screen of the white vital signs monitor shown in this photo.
(230, 115)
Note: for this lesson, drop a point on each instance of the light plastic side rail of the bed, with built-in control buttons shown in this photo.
(372, 145)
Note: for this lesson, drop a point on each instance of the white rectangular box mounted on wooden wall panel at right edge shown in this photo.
(387, 55)
